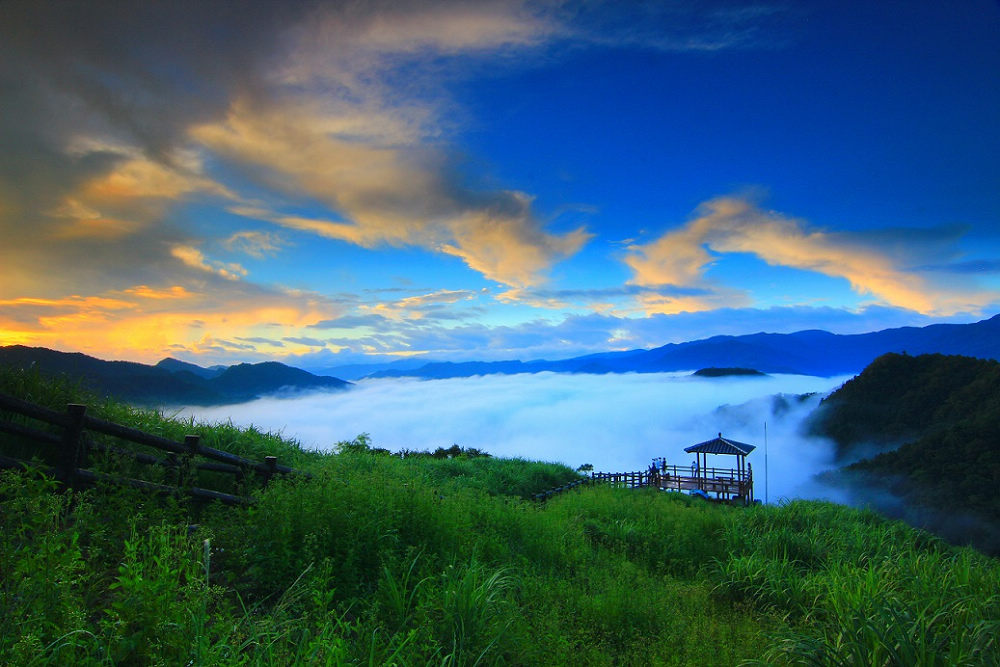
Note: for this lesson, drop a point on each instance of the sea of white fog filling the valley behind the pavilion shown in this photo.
(614, 422)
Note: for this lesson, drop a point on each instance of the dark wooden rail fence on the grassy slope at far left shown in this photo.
(71, 444)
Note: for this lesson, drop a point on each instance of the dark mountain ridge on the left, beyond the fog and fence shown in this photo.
(170, 381)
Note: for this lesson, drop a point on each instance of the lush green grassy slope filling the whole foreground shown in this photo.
(418, 561)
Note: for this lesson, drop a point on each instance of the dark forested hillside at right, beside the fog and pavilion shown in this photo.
(943, 413)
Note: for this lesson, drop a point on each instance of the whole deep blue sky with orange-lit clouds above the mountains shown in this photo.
(339, 182)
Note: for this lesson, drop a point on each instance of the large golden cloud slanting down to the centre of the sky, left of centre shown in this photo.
(388, 194)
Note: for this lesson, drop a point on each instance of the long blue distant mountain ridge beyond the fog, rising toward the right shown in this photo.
(810, 352)
